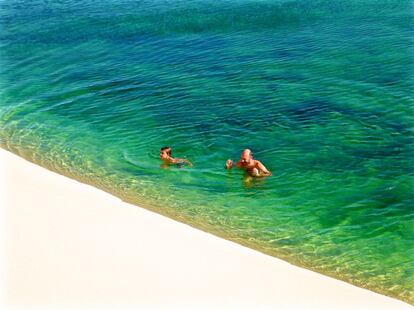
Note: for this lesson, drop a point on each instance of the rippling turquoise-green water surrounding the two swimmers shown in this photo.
(321, 91)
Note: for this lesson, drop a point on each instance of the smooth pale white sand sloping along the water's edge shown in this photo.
(67, 243)
